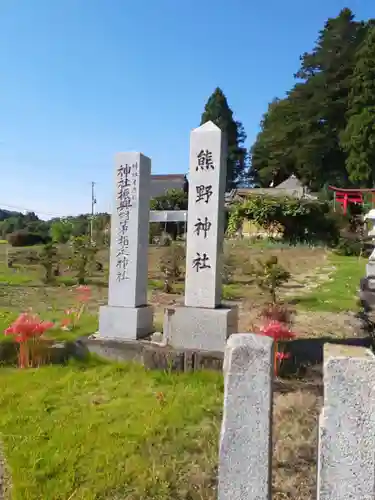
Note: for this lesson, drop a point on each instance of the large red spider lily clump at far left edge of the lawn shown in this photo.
(27, 328)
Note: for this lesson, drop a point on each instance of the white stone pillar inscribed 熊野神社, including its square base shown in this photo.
(204, 323)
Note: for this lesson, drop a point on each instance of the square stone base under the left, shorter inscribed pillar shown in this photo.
(125, 323)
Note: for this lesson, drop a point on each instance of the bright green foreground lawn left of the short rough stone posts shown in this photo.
(107, 431)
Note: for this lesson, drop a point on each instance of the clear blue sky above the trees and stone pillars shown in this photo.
(84, 79)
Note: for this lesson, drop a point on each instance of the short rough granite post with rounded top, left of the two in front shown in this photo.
(245, 457)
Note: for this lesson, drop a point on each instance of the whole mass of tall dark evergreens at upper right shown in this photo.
(309, 132)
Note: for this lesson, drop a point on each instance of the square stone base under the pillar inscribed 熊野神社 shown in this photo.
(199, 328)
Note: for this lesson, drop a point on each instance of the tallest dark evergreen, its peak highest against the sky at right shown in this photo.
(327, 73)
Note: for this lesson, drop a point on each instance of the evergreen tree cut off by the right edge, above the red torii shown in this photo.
(358, 139)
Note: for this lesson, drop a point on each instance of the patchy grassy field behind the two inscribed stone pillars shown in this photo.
(321, 282)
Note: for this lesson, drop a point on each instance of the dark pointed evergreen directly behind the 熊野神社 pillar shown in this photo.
(218, 111)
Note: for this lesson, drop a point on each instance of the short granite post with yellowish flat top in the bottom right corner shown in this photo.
(346, 452)
